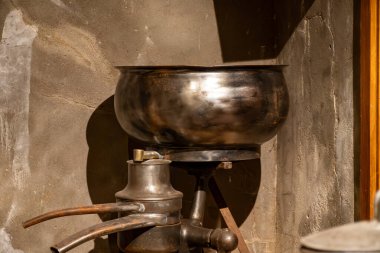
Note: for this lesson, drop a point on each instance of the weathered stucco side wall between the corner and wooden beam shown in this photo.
(315, 148)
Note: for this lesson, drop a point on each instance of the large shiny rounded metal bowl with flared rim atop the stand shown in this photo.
(183, 106)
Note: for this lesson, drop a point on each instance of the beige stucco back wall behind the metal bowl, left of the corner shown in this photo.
(61, 145)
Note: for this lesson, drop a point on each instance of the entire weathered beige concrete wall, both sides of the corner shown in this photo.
(61, 145)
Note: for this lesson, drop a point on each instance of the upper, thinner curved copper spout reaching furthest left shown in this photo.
(100, 208)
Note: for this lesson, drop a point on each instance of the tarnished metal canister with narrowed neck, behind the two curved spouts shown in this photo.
(149, 184)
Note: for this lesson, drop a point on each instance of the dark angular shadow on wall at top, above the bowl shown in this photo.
(256, 29)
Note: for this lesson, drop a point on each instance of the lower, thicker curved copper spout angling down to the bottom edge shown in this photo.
(109, 227)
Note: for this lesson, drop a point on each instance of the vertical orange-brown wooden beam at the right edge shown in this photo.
(369, 105)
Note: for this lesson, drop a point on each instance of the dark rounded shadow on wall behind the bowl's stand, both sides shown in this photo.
(109, 149)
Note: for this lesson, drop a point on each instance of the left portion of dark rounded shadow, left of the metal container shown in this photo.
(106, 164)
